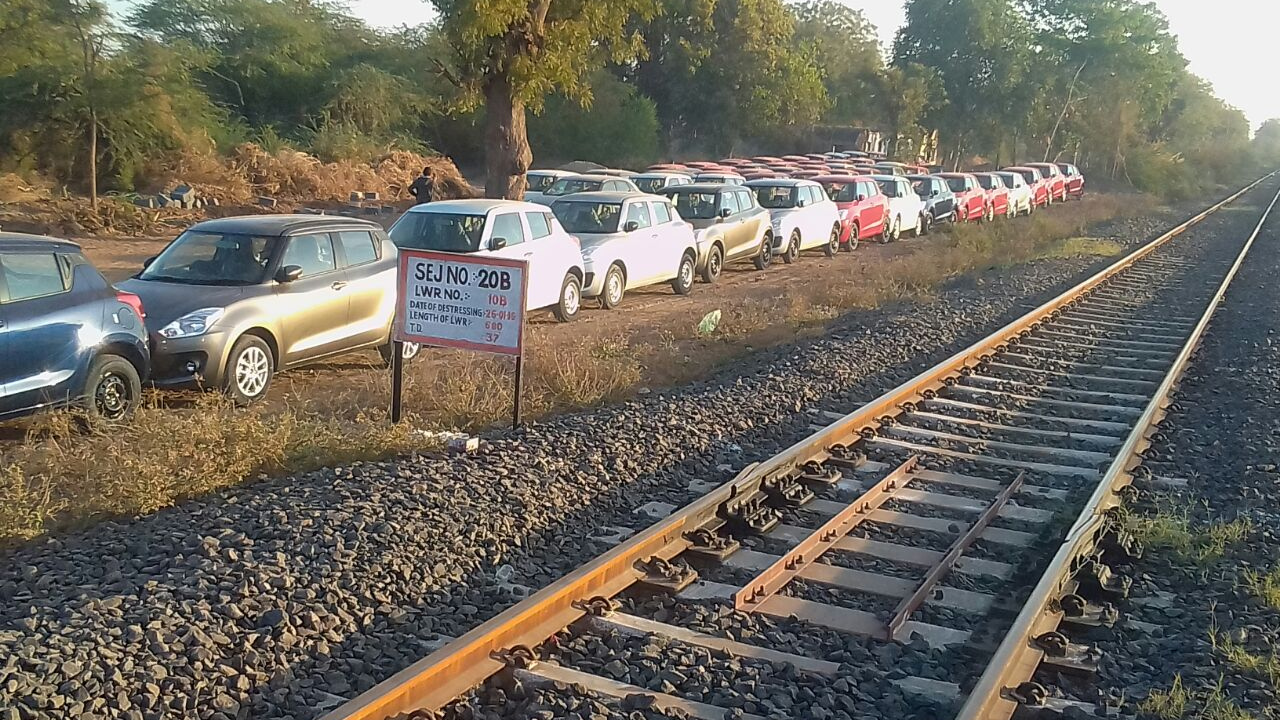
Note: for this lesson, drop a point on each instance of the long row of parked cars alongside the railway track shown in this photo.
(232, 302)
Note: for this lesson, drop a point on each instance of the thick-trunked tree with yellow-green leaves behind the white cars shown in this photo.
(514, 53)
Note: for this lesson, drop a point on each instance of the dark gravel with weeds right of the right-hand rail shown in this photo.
(1223, 438)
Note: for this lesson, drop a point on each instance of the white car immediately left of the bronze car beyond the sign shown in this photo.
(629, 240)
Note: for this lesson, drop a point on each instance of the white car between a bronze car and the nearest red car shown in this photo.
(802, 213)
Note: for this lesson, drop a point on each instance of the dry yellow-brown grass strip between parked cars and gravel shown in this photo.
(63, 479)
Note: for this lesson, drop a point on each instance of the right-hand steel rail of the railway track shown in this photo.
(1018, 658)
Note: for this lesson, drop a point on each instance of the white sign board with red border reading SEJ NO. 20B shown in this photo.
(465, 302)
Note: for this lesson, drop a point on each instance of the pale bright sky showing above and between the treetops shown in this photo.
(1228, 43)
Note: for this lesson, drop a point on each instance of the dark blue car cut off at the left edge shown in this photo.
(67, 338)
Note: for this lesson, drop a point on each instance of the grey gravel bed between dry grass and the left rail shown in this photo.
(280, 599)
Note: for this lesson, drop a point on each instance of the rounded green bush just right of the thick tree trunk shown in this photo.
(619, 129)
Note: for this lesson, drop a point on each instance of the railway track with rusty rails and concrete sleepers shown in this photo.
(926, 555)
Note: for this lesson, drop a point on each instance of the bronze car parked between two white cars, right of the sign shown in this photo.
(729, 226)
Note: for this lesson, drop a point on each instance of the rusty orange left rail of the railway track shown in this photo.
(468, 662)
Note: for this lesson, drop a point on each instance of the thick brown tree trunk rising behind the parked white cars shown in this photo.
(508, 154)
